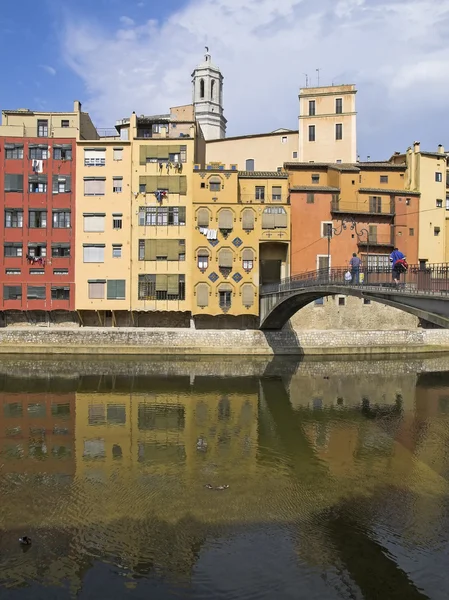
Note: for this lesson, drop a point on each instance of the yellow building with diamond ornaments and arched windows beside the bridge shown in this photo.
(241, 238)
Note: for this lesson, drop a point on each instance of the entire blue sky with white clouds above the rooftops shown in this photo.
(116, 56)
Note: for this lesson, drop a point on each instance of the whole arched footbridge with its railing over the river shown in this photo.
(423, 292)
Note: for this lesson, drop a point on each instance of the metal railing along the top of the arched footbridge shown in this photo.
(431, 279)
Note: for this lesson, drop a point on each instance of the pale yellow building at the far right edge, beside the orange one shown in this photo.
(426, 173)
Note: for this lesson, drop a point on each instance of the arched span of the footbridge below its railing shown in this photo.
(277, 308)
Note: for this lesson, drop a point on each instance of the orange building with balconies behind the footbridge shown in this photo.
(324, 197)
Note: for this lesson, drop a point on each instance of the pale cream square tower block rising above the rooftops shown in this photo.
(327, 124)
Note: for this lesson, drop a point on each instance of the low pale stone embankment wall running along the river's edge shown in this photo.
(131, 341)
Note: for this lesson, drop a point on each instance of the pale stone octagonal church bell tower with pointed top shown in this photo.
(208, 99)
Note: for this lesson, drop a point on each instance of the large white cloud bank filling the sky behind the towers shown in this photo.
(392, 49)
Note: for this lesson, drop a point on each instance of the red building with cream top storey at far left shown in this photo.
(38, 190)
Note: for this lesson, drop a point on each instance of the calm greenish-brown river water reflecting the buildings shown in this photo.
(337, 473)
